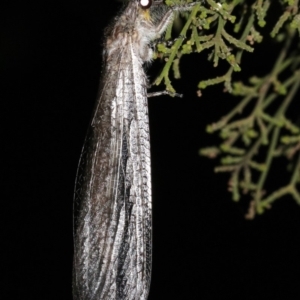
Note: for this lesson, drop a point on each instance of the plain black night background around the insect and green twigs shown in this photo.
(203, 248)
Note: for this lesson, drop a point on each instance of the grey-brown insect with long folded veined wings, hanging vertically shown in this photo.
(112, 206)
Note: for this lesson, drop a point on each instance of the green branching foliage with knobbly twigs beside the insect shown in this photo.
(249, 143)
